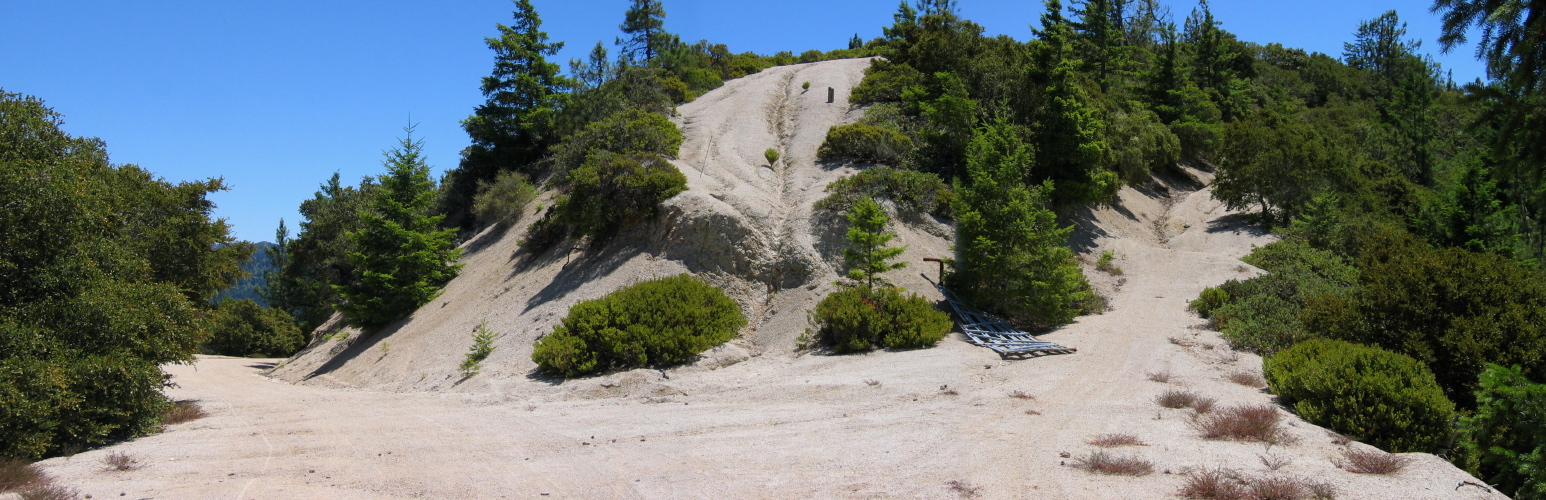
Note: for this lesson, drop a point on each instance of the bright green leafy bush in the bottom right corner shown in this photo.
(1508, 433)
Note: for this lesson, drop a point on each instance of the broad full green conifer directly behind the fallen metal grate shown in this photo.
(1013, 258)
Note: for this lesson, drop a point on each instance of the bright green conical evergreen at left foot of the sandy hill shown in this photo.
(401, 261)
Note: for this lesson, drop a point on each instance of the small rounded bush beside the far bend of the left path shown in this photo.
(247, 329)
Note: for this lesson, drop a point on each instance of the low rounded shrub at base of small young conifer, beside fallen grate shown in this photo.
(860, 318)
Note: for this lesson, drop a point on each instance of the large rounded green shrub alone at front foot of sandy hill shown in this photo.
(659, 323)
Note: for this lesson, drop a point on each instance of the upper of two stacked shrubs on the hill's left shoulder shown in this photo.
(625, 132)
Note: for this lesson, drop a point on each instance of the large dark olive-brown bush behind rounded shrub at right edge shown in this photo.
(1451, 309)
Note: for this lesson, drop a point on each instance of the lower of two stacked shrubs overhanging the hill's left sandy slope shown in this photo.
(611, 190)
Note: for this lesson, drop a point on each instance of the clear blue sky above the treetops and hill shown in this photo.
(276, 97)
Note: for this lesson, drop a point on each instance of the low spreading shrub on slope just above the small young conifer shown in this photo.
(913, 191)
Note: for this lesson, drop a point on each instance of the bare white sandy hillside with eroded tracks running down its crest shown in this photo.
(743, 225)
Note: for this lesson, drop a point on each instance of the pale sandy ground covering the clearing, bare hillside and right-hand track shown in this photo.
(387, 417)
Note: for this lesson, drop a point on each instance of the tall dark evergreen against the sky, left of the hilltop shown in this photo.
(514, 128)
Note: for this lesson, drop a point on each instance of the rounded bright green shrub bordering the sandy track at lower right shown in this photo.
(1384, 399)
